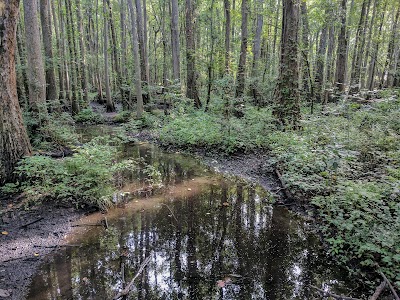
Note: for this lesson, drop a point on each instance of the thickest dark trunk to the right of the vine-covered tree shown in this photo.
(341, 61)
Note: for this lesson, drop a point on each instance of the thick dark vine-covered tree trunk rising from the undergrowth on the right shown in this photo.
(287, 107)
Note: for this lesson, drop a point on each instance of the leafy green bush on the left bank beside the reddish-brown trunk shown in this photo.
(86, 178)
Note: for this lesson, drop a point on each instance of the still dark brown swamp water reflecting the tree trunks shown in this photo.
(207, 237)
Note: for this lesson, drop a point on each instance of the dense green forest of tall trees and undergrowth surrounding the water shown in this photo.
(312, 84)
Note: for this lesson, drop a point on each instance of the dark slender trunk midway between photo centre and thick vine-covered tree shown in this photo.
(243, 52)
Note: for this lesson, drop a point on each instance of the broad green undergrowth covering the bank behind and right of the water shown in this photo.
(345, 162)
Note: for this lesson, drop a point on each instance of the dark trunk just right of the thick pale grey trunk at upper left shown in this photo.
(51, 88)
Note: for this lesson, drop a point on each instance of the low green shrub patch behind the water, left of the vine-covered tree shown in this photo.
(210, 131)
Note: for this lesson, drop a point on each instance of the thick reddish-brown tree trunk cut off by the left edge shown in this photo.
(14, 142)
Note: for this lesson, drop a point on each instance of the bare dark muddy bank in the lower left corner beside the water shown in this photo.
(27, 237)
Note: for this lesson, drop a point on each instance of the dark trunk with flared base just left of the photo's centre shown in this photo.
(191, 85)
